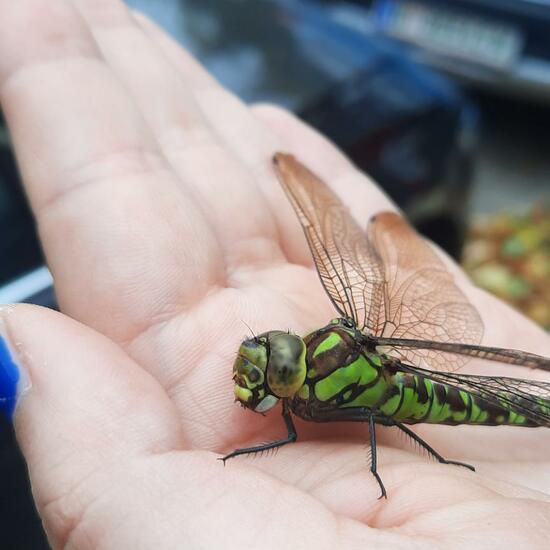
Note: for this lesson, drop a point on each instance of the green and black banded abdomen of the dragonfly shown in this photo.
(419, 399)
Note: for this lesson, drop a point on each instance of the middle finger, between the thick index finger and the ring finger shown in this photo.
(207, 169)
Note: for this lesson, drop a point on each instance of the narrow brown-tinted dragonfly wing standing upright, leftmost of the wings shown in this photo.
(348, 265)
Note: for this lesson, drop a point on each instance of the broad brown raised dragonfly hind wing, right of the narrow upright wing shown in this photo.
(423, 301)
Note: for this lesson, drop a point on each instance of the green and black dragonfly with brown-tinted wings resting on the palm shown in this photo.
(390, 358)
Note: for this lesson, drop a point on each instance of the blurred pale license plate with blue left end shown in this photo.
(451, 34)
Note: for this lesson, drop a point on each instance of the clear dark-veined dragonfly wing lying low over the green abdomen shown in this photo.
(529, 398)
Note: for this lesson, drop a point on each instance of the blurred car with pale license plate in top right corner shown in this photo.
(500, 45)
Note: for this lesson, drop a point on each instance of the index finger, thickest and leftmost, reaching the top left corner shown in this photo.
(120, 236)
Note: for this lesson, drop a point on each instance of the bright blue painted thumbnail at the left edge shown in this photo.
(13, 378)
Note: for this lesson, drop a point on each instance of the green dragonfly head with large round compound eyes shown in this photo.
(268, 367)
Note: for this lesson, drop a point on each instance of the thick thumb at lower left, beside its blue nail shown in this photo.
(88, 415)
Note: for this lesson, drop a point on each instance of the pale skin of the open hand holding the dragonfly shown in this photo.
(166, 230)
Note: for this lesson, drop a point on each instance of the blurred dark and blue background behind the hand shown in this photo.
(445, 103)
